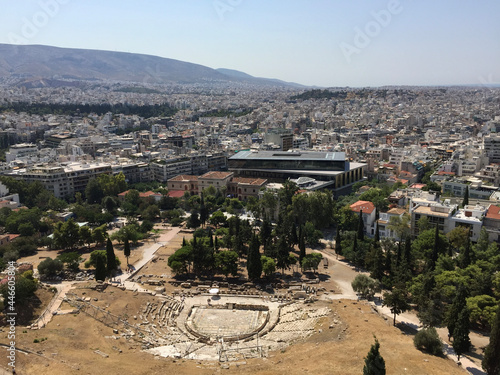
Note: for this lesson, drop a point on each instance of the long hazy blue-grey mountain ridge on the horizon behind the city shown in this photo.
(37, 65)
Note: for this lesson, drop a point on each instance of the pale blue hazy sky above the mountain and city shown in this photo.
(313, 42)
